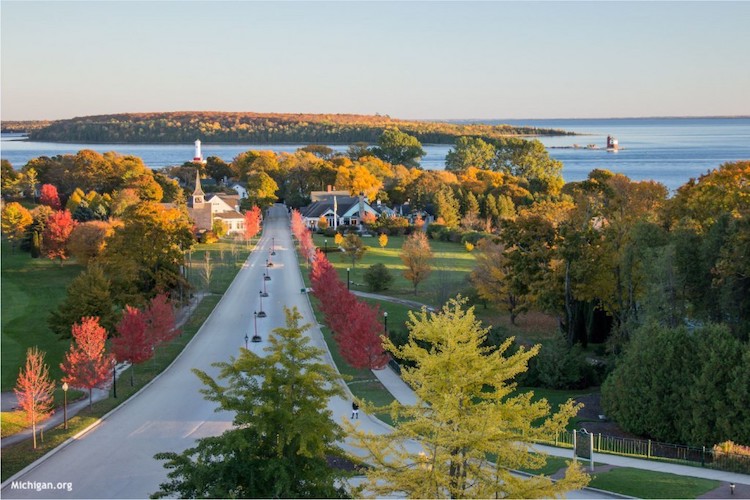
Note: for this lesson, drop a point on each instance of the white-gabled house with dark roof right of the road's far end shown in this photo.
(337, 208)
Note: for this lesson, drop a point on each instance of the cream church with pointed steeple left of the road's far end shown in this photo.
(204, 210)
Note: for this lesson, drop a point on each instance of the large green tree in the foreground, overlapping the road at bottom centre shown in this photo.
(283, 428)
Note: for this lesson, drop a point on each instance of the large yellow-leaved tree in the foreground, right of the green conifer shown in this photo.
(465, 413)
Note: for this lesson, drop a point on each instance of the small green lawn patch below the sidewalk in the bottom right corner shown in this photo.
(648, 484)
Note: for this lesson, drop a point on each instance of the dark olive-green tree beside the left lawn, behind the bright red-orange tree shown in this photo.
(87, 295)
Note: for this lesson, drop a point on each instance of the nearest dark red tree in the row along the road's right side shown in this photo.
(359, 340)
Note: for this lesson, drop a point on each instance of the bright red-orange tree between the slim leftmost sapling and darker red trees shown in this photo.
(87, 364)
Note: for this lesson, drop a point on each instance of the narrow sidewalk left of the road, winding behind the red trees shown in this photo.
(9, 401)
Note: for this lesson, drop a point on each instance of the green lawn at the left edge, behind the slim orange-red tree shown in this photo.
(31, 289)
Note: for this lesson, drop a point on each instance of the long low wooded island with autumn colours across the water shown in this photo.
(261, 128)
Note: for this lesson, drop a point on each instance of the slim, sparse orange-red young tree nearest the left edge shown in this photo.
(34, 389)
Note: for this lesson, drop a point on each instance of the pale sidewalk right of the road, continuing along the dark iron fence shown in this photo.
(403, 394)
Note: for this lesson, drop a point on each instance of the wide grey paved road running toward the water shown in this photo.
(115, 460)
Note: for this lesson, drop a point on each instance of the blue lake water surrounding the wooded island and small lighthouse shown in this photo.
(667, 150)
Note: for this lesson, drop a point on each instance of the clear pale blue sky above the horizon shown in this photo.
(412, 60)
